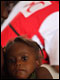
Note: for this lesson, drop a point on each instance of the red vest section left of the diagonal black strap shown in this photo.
(7, 35)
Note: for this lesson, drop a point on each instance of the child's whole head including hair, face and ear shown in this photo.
(22, 57)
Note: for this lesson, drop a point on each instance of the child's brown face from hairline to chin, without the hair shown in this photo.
(21, 60)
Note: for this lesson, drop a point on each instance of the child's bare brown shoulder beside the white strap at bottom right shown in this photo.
(43, 73)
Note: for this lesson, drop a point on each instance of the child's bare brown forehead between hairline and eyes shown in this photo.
(20, 48)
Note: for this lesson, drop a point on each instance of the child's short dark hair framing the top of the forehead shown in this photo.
(26, 41)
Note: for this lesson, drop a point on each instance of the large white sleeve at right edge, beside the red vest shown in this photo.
(50, 31)
